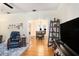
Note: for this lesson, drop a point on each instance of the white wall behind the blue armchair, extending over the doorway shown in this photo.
(6, 19)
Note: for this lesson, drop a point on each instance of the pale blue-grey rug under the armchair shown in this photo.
(11, 52)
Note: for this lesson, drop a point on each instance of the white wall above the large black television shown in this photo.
(68, 12)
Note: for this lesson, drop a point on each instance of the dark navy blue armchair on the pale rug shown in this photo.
(14, 41)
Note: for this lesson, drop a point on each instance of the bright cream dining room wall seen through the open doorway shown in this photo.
(35, 25)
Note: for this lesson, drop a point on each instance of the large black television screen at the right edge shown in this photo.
(70, 34)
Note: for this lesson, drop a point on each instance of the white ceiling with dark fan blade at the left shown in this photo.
(28, 7)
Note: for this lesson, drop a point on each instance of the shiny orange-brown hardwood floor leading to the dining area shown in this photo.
(38, 48)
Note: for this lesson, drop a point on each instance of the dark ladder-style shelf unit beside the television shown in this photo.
(54, 31)
